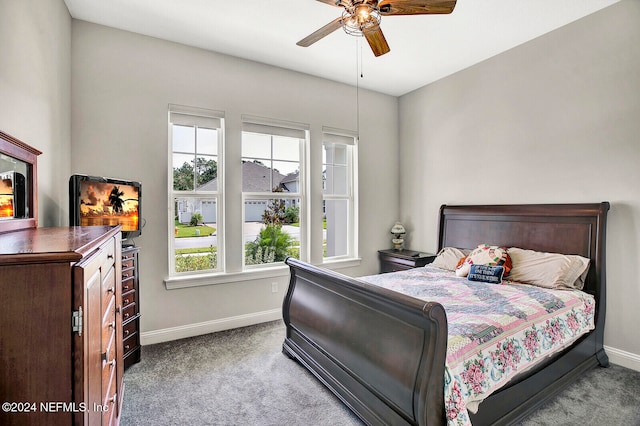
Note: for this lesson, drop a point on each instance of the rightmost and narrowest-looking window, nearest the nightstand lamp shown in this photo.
(338, 194)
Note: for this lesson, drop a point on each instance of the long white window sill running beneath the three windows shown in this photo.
(276, 271)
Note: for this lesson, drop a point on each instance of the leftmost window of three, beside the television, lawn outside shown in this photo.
(196, 188)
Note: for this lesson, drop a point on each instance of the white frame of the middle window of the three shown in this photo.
(273, 127)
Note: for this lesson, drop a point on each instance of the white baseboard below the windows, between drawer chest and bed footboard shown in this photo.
(190, 330)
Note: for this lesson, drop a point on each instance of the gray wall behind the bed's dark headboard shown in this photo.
(554, 120)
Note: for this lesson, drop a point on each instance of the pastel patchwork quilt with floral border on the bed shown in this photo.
(495, 331)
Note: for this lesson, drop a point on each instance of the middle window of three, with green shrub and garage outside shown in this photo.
(272, 190)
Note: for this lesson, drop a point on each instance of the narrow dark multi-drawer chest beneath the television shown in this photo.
(130, 306)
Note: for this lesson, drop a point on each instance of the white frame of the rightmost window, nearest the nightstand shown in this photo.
(350, 140)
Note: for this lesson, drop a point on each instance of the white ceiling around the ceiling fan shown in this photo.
(424, 48)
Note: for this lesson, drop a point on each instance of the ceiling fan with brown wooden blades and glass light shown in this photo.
(362, 17)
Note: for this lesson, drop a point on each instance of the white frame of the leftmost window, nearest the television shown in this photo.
(204, 118)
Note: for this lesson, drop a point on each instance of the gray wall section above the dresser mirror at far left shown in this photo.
(35, 84)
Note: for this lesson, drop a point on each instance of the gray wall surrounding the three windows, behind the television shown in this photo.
(122, 85)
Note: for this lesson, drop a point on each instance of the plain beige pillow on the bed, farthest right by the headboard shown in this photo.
(549, 270)
